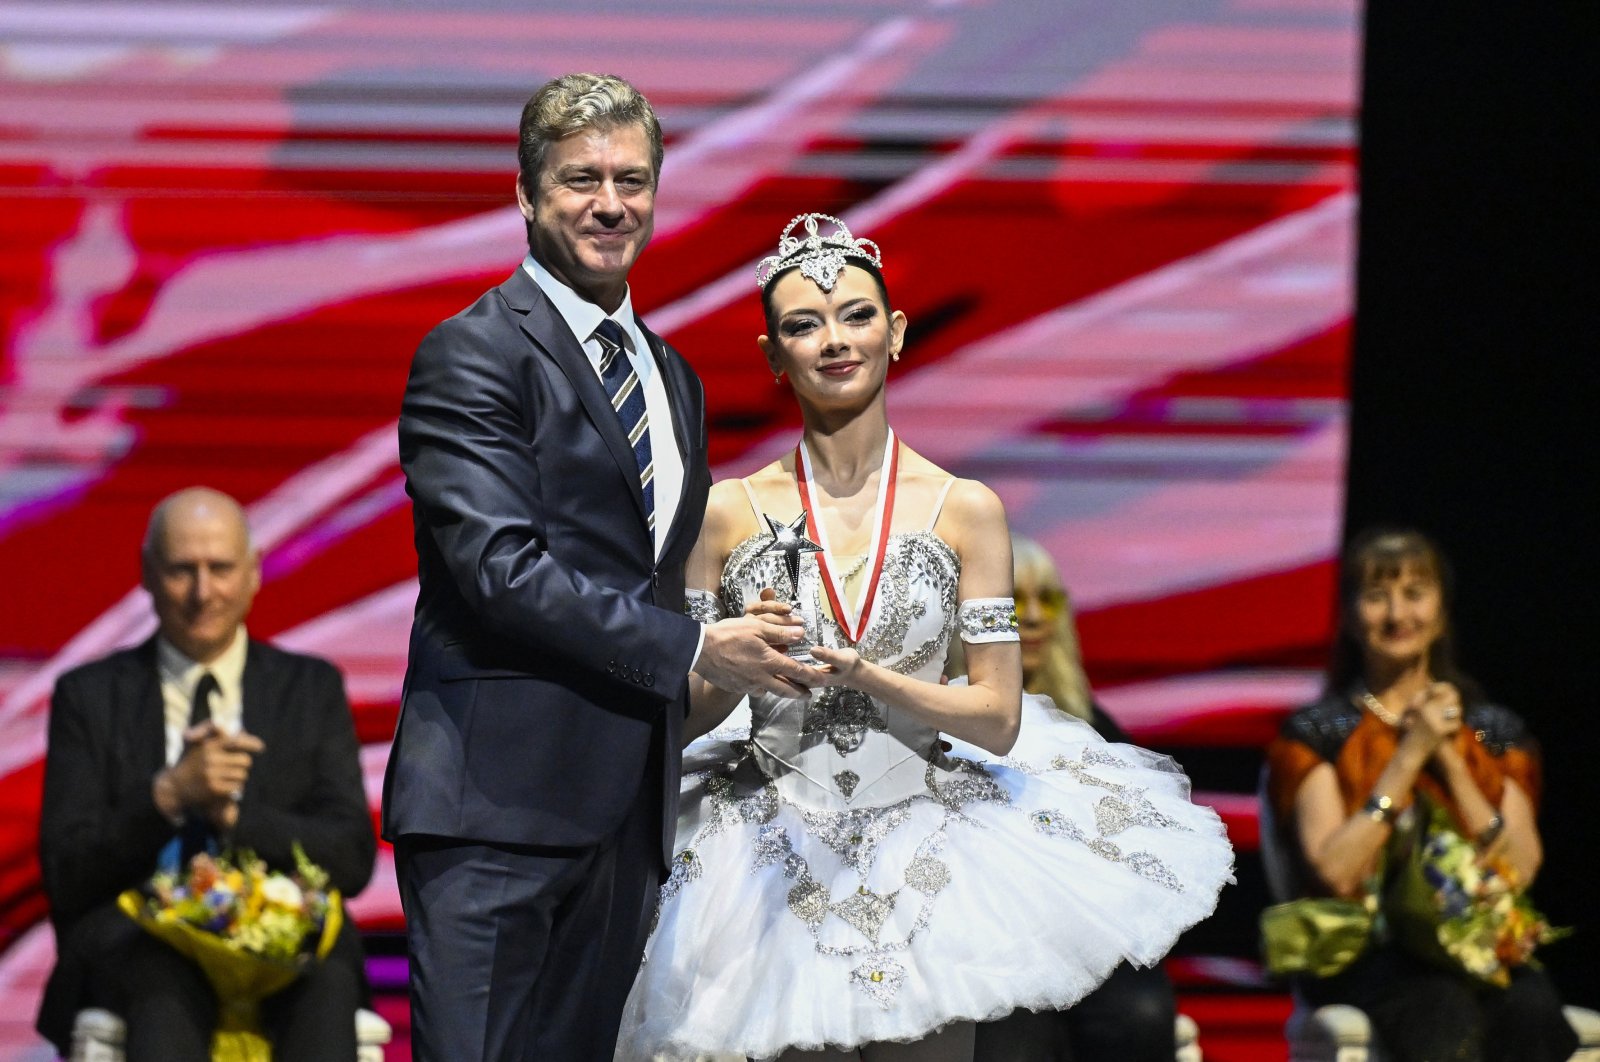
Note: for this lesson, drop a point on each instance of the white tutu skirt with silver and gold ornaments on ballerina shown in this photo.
(1017, 882)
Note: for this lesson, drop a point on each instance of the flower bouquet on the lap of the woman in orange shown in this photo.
(1454, 906)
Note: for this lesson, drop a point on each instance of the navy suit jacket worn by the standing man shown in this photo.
(550, 652)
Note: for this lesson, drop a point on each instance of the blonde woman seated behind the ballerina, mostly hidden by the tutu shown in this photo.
(1129, 1018)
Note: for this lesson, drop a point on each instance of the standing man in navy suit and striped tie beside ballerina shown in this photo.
(556, 455)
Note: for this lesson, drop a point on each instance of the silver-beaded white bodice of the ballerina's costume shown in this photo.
(841, 748)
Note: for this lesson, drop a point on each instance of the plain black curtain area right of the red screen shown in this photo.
(1474, 377)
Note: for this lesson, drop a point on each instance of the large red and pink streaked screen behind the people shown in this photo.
(1122, 234)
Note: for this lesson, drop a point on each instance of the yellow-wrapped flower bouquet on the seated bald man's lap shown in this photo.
(249, 928)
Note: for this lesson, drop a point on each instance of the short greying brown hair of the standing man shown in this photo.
(582, 102)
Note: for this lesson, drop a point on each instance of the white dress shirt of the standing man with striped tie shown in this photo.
(583, 317)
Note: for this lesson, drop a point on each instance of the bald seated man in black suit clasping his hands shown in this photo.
(199, 738)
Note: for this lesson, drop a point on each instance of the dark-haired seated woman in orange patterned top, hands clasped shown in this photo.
(1399, 722)
